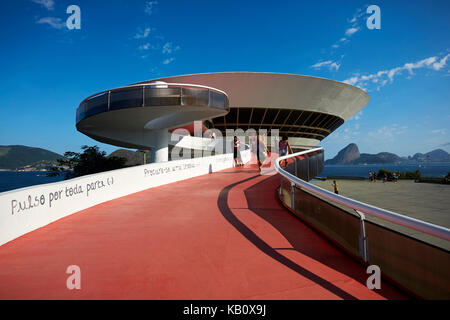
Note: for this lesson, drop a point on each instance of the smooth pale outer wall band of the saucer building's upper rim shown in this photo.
(281, 90)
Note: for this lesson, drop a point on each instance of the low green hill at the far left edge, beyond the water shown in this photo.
(16, 156)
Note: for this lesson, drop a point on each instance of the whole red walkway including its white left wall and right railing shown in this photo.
(217, 233)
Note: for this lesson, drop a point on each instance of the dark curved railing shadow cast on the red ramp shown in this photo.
(301, 237)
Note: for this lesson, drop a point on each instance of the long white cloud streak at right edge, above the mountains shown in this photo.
(381, 78)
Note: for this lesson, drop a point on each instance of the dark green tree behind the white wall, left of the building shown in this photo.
(90, 161)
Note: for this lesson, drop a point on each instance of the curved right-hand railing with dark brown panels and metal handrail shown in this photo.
(419, 267)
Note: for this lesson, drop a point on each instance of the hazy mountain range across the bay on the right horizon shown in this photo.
(350, 155)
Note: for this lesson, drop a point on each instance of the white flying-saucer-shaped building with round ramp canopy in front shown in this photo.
(306, 109)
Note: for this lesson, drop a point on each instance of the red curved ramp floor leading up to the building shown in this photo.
(218, 236)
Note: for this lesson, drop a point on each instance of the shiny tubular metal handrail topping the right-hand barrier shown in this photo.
(408, 222)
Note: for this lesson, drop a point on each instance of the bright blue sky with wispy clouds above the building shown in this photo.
(47, 70)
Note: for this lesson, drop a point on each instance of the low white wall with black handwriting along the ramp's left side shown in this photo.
(27, 209)
